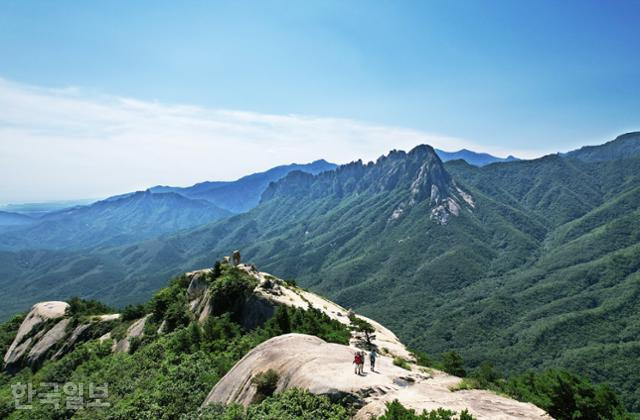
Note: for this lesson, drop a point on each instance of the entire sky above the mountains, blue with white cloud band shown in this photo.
(98, 98)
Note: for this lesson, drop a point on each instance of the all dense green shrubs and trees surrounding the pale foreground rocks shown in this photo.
(170, 370)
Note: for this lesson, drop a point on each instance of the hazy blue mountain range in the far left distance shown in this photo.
(136, 216)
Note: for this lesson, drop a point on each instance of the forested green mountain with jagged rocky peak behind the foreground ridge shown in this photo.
(530, 264)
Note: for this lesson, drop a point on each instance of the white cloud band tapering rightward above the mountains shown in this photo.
(69, 144)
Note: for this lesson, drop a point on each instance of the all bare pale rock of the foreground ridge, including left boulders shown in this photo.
(301, 361)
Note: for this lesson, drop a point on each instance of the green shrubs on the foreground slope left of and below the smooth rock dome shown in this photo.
(167, 375)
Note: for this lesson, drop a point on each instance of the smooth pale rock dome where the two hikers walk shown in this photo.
(307, 362)
